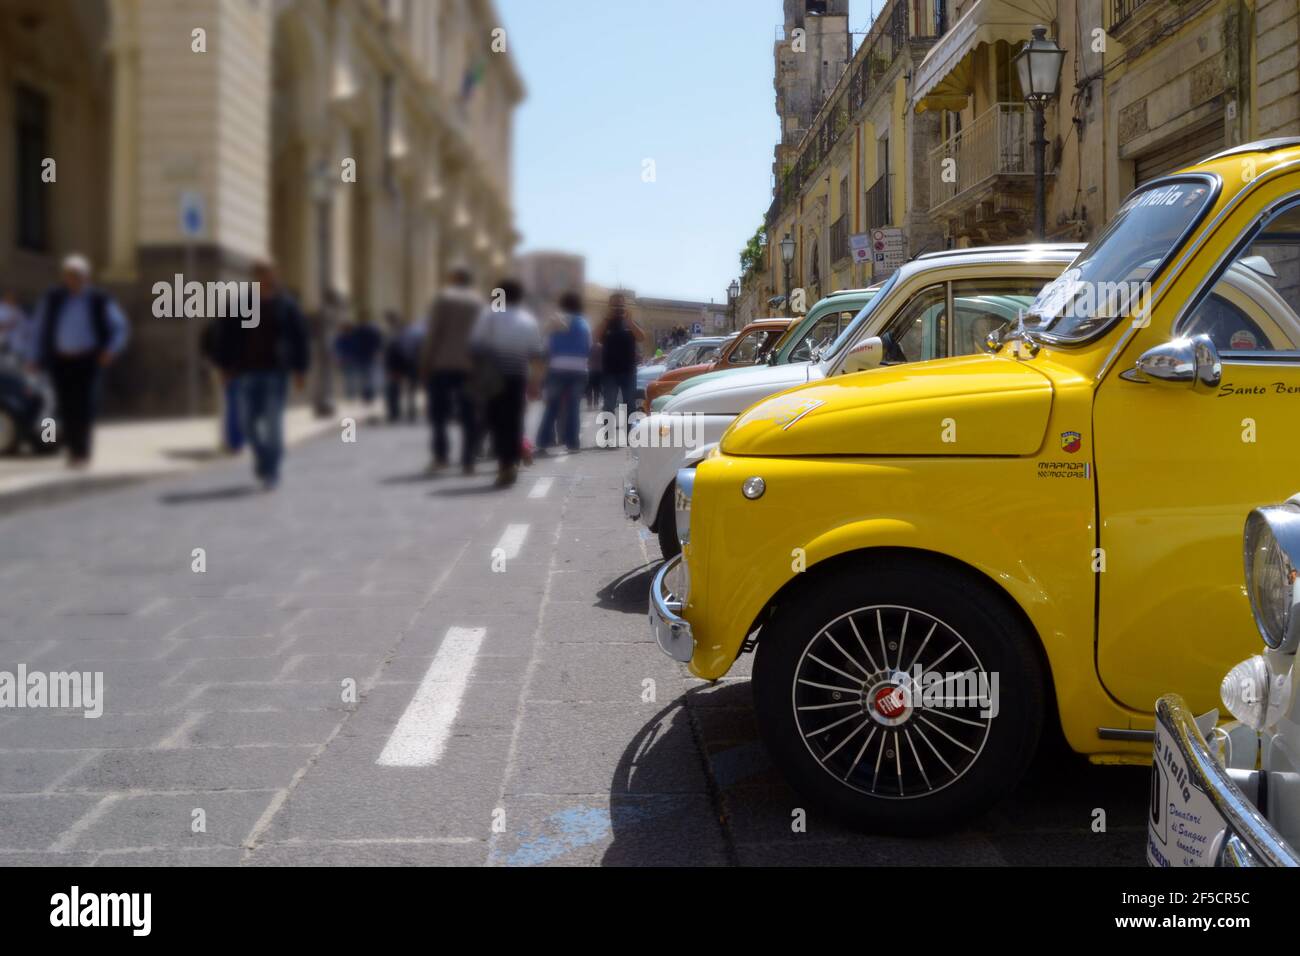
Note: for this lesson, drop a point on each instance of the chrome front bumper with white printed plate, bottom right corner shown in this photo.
(1203, 815)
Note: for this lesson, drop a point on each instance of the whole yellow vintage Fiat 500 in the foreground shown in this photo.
(931, 559)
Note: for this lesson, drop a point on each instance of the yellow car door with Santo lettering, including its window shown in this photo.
(1180, 466)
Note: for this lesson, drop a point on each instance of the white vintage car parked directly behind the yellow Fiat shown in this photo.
(907, 321)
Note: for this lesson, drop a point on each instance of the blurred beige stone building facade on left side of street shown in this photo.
(363, 145)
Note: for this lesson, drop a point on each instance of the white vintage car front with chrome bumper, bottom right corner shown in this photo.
(1230, 795)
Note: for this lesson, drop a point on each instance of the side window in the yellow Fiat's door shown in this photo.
(1255, 304)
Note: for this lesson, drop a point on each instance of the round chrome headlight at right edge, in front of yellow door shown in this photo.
(1272, 579)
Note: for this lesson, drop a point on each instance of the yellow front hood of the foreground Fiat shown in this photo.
(976, 405)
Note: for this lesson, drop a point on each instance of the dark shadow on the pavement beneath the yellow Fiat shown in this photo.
(743, 810)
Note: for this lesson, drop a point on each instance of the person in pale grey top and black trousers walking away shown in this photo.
(510, 344)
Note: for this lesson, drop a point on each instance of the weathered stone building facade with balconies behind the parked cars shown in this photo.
(1147, 86)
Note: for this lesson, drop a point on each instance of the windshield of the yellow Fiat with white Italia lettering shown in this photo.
(1113, 276)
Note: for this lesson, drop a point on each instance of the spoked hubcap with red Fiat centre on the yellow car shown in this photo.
(892, 702)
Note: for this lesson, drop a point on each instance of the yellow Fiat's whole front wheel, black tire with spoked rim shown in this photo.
(899, 781)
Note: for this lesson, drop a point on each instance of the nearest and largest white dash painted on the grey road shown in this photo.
(422, 734)
